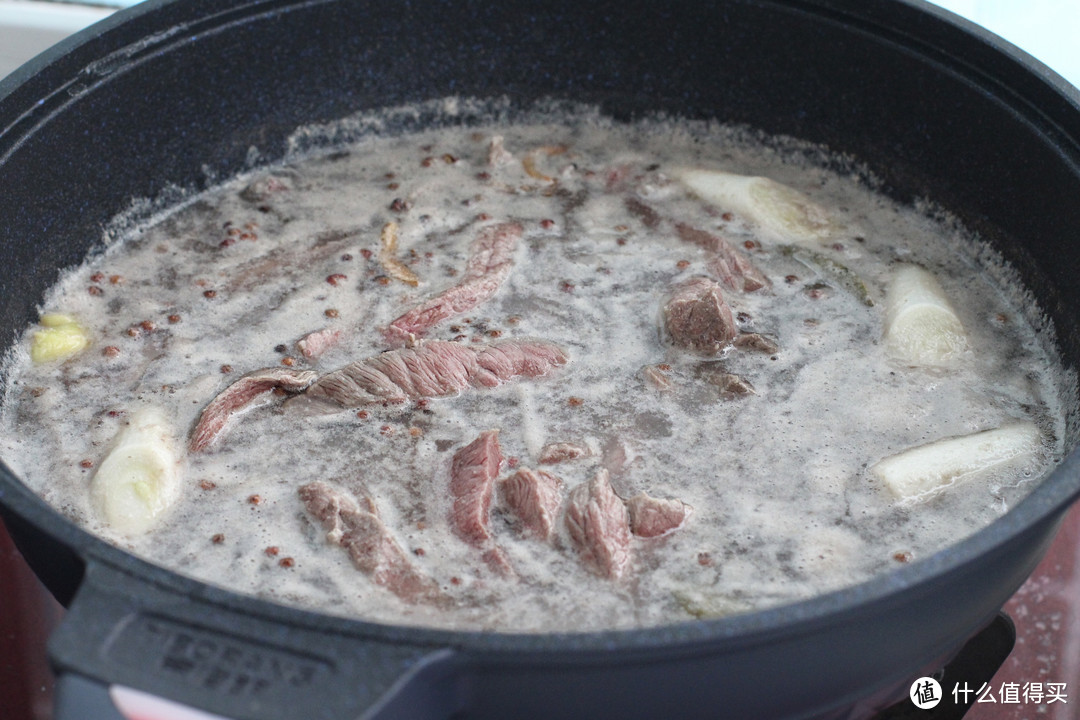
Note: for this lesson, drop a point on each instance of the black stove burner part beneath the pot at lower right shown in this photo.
(962, 680)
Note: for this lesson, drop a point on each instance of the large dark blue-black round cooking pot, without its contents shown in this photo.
(173, 93)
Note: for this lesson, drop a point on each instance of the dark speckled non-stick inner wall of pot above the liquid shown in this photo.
(172, 98)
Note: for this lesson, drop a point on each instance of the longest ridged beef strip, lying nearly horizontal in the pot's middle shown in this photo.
(435, 369)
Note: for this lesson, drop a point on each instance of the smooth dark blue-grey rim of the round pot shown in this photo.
(1046, 504)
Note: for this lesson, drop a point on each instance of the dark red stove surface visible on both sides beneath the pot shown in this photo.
(1046, 613)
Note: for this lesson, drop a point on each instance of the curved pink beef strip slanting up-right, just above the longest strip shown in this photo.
(489, 265)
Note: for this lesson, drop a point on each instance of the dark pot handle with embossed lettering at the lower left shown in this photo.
(130, 650)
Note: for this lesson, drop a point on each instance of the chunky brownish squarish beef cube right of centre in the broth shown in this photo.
(698, 319)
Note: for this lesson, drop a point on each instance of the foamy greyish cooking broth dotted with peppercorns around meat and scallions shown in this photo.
(785, 508)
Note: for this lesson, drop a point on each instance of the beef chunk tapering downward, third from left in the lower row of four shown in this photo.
(600, 526)
